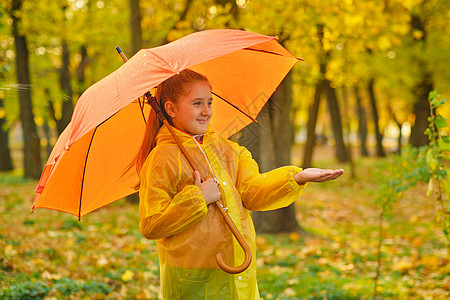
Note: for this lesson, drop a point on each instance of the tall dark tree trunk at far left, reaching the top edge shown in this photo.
(32, 146)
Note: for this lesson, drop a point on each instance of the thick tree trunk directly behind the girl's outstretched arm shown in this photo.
(274, 140)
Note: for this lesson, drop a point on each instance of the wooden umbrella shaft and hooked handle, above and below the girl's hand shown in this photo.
(248, 254)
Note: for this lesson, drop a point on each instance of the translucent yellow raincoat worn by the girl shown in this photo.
(172, 210)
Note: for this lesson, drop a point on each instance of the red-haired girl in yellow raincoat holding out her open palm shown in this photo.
(174, 206)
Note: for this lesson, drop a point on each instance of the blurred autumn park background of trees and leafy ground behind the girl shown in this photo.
(359, 98)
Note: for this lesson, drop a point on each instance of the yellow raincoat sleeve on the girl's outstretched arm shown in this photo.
(268, 191)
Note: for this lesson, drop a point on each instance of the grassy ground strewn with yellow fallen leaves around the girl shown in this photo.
(49, 254)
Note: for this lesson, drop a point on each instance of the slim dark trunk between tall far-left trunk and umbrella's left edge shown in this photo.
(66, 87)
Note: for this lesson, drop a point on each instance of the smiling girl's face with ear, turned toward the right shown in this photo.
(192, 112)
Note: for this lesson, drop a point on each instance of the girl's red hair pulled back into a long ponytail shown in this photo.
(169, 90)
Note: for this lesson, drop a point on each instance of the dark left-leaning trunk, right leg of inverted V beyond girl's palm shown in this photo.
(333, 106)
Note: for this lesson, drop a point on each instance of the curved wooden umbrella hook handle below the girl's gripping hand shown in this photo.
(240, 239)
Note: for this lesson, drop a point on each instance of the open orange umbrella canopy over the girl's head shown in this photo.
(86, 167)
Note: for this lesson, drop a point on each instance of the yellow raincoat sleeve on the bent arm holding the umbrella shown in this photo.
(163, 211)
